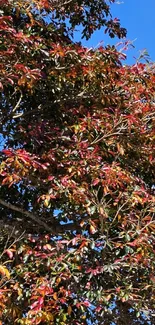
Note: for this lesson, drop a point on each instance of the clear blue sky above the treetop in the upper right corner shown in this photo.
(138, 16)
